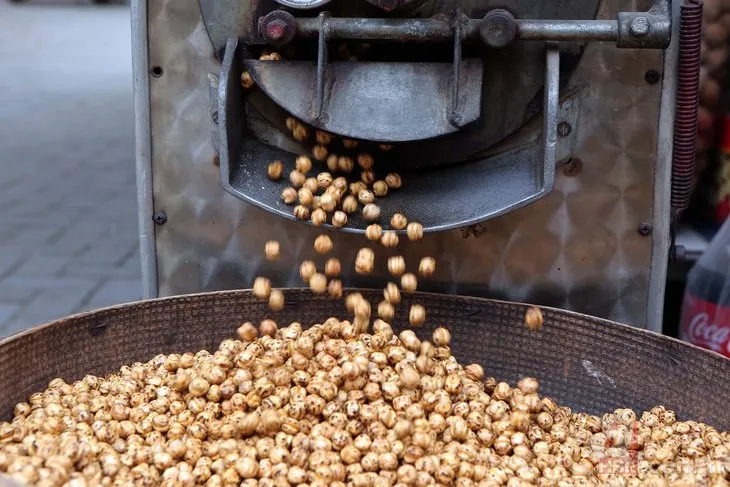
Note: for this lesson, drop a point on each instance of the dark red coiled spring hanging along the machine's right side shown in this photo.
(688, 83)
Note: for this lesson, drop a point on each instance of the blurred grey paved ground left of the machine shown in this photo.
(68, 224)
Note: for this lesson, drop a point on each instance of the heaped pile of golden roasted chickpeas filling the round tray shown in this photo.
(340, 403)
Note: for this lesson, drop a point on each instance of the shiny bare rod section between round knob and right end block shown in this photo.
(567, 30)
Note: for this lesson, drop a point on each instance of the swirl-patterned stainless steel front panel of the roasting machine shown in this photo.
(578, 248)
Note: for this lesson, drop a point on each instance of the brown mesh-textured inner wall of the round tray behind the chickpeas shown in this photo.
(586, 363)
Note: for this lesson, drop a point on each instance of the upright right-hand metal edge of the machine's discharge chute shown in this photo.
(550, 114)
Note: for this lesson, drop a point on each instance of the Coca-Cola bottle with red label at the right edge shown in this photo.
(706, 308)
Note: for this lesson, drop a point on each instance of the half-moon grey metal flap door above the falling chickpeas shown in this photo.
(373, 101)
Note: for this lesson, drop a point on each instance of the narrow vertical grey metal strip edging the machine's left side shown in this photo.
(143, 148)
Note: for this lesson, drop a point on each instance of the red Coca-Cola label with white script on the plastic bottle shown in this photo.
(706, 324)
